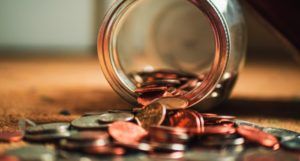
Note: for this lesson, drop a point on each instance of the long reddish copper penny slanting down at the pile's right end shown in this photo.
(258, 136)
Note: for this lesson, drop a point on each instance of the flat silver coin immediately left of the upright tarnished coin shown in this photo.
(110, 117)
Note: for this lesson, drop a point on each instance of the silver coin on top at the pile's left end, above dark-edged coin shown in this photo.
(48, 128)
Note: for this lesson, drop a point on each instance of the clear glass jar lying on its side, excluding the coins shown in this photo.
(203, 37)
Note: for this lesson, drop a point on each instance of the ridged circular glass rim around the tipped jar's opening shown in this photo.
(118, 79)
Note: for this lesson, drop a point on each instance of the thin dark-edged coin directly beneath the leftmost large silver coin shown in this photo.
(47, 137)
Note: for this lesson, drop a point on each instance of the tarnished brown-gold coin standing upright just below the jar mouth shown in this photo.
(151, 115)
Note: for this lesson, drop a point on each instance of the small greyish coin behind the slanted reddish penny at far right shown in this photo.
(282, 134)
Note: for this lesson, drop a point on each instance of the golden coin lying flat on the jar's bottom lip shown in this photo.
(174, 103)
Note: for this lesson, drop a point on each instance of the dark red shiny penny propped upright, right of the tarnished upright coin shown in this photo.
(186, 119)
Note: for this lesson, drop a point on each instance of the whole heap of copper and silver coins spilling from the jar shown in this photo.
(163, 126)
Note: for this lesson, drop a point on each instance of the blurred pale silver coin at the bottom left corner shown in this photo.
(34, 153)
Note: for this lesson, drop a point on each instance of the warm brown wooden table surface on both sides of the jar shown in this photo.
(40, 88)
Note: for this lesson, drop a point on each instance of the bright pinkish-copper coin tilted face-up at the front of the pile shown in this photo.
(126, 132)
